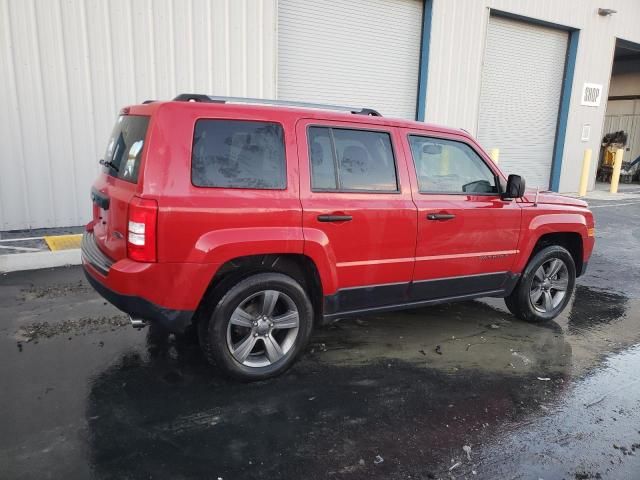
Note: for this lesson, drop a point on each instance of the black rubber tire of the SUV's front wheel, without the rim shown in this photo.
(520, 303)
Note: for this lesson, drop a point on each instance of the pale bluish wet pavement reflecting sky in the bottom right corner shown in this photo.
(591, 433)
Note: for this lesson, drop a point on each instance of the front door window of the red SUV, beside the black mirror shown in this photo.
(446, 166)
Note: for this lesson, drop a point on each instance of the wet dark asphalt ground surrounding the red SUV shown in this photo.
(452, 391)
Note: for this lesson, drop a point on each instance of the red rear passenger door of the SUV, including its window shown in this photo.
(357, 206)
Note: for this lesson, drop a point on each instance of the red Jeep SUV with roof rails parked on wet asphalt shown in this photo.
(255, 222)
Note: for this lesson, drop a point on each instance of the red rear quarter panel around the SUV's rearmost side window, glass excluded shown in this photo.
(214, 225)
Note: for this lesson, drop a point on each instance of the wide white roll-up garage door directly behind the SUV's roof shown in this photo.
(360, 52)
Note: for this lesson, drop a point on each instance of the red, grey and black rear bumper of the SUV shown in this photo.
(158, 293)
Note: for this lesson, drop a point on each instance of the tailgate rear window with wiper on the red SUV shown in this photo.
(124, 150)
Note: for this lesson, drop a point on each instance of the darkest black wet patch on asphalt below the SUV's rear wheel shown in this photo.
(161, 412)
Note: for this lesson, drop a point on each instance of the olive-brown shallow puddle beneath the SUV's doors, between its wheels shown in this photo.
(451, 338)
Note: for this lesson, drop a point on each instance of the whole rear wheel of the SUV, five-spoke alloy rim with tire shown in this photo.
(258, 327)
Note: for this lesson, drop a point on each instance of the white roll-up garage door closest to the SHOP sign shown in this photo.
(520, 96)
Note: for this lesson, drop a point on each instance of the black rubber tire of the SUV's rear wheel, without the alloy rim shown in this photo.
(213, 330)
